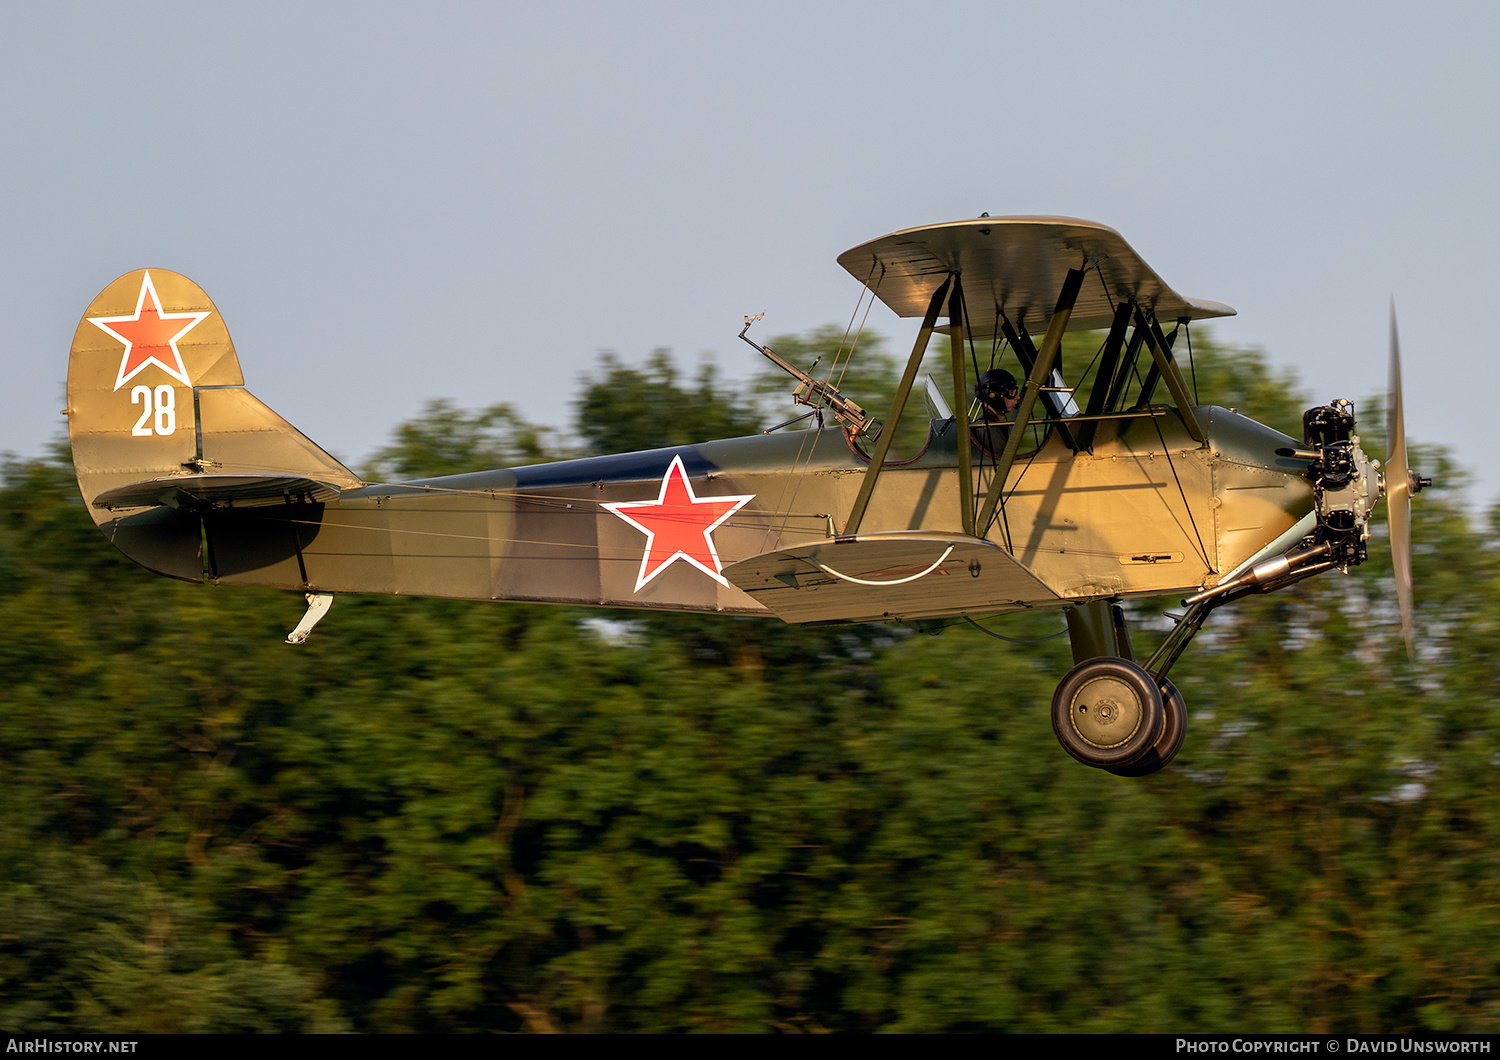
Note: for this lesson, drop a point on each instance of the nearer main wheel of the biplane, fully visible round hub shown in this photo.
(1108, 713)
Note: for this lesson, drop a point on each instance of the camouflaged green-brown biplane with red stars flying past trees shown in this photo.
(1058, 497)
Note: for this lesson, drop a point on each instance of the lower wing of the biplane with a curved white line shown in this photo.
(883, 576)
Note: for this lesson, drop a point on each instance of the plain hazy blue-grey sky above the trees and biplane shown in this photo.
(395, 203)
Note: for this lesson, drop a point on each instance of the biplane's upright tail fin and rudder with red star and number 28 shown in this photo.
(161, 424)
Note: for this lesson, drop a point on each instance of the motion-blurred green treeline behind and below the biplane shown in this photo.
(466, 816)
